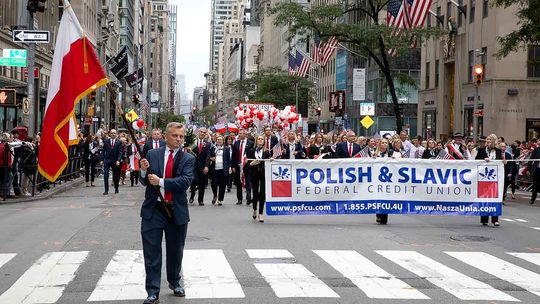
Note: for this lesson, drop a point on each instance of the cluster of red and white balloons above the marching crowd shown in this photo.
(247, 117)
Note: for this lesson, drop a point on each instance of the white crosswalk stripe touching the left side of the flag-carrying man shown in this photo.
(123, 278)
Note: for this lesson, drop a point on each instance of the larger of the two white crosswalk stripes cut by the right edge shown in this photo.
(509, 272)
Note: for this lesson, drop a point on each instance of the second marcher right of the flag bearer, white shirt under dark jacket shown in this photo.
(219, 169)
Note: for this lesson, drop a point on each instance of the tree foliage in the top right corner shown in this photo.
(528, 31)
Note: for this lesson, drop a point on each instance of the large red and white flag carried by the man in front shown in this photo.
(75, 72)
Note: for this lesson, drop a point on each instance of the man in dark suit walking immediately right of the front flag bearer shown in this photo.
(202, 153)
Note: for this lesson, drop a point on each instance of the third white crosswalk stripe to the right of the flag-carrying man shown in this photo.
(370, 278)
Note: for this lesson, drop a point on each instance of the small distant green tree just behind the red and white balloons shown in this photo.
(273, 85)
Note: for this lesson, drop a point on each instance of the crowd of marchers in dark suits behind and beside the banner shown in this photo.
(223, 160)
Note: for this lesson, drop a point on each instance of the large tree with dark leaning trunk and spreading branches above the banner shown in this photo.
(368, 36)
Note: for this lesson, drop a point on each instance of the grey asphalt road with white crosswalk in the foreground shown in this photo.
(81, 246)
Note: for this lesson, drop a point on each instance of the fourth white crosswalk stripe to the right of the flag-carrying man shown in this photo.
(454, 282)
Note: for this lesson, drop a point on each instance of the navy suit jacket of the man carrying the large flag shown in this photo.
(178, 184)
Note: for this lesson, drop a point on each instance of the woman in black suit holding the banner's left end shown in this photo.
(258, 153)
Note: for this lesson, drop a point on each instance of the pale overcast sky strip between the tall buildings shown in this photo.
(193, 44)
